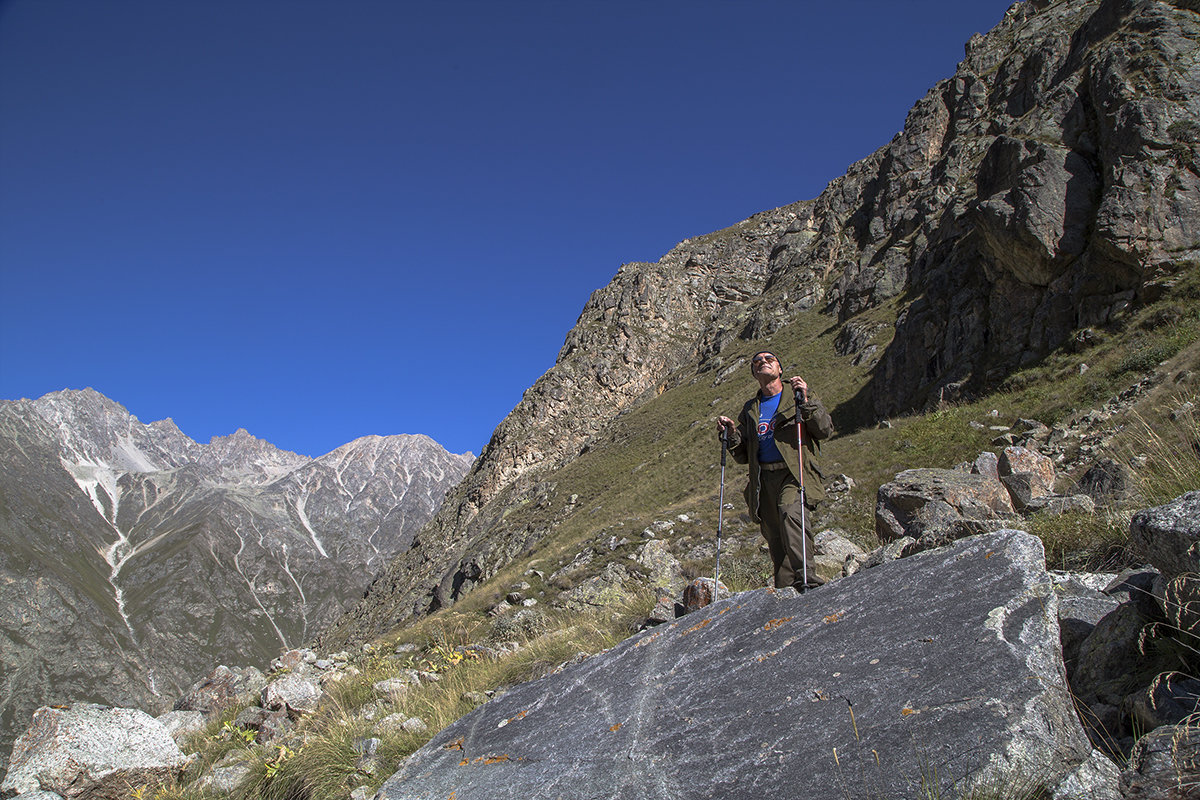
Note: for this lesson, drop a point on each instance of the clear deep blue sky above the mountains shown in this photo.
(326, 219)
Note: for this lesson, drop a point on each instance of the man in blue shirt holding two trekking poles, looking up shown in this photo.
(765, 437)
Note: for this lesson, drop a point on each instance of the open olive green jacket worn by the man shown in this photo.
(818, 426)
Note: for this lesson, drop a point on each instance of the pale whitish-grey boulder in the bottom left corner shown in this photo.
(92, 751)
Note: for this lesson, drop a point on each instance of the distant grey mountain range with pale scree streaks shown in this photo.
(133, 558)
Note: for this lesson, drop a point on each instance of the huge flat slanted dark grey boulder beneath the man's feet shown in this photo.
(868, 687)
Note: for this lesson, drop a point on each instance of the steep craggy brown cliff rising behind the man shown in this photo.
(1047, 187)
